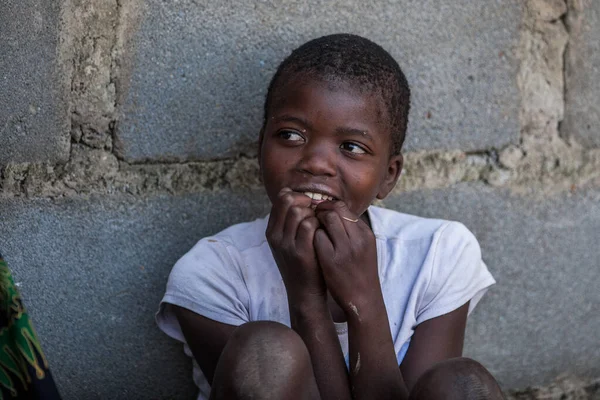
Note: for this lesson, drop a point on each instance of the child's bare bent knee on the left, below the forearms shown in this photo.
(264, 360)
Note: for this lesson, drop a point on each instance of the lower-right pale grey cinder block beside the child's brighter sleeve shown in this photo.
(541, 319)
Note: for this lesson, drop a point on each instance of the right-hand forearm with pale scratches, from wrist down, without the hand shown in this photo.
(374, 370)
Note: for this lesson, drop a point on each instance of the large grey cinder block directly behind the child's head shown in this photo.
(201, 70)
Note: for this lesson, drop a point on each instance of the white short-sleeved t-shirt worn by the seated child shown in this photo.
(427, 268)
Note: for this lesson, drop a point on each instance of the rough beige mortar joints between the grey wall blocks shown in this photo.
(543, 162)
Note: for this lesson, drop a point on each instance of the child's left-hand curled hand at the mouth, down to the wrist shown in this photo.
(290, 233)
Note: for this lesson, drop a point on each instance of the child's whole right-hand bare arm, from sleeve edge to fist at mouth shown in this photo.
(347, 253)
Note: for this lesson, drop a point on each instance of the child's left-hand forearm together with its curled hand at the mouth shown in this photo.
(290, 233)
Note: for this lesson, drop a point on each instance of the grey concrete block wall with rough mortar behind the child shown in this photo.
(128, 131)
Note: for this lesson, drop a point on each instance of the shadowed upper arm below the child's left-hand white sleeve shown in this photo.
(206, 338)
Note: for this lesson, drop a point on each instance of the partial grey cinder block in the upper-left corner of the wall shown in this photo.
(34, 117)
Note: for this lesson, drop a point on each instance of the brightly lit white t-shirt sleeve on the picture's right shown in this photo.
(458, 274)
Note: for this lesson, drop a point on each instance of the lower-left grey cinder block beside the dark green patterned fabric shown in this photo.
(92, 273)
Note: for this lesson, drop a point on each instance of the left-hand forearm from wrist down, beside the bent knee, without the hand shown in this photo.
(314, 325)
